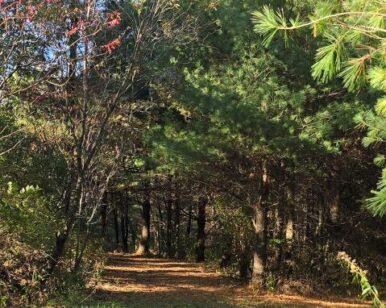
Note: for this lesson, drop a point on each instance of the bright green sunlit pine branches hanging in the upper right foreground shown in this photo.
(353, 48)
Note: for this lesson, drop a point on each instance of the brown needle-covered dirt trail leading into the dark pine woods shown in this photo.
(130, 281)
